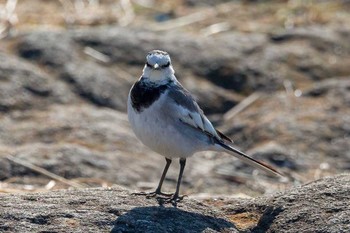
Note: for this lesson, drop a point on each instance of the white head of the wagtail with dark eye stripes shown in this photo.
(158, 66)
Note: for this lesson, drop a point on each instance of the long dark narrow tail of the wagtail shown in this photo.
(245, 158)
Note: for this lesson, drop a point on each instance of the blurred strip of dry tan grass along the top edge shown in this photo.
(263, 16)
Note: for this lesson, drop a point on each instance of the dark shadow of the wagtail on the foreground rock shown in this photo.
(168, 219)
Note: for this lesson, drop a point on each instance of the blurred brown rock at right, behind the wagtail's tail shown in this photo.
(304, 125)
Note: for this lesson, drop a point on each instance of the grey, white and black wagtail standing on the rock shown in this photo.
(167, 119)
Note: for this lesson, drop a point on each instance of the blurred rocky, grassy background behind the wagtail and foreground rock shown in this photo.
(273, 75)
